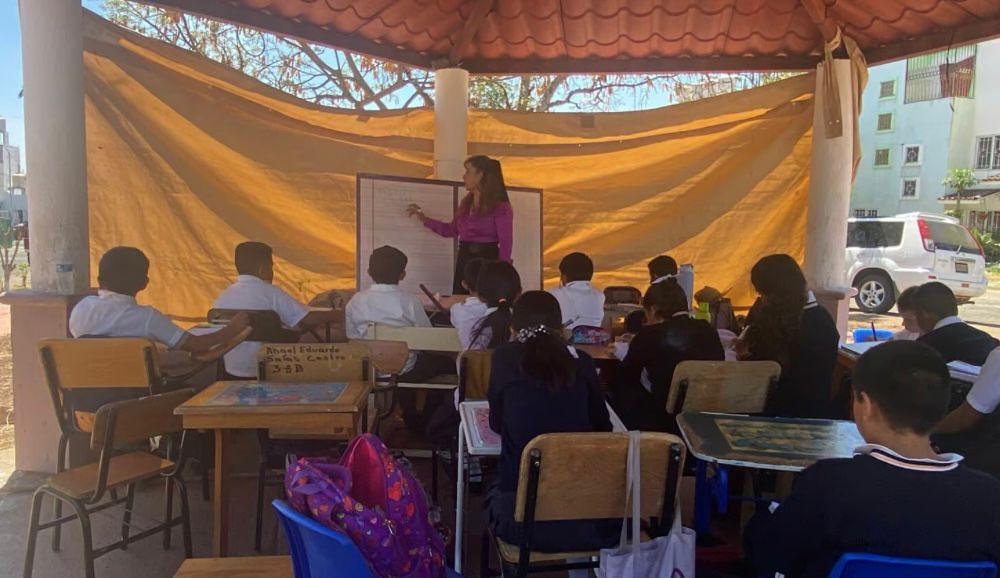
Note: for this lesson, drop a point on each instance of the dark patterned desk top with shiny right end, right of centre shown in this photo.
(767, 443)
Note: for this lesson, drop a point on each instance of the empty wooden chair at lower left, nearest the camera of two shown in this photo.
(117, 427)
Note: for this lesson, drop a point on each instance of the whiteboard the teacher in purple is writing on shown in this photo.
(382, 220)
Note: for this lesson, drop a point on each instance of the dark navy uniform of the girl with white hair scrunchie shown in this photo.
(522, 408)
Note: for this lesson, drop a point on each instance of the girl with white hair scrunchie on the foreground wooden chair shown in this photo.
(540, 385)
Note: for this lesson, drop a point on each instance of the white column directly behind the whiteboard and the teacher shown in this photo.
(451, 122)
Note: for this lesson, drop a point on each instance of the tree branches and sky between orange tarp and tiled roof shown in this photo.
(342, 79)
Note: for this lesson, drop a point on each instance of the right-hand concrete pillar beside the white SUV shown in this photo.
(830, 199)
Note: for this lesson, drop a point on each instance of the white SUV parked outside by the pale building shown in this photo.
(886, 255)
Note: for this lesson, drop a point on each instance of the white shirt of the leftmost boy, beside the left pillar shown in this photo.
(110, 314)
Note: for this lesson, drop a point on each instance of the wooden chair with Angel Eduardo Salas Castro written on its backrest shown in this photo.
(299, 362)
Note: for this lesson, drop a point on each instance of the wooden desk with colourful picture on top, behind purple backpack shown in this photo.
(231, 405)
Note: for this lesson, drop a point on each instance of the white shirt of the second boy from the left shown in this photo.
(251, 292)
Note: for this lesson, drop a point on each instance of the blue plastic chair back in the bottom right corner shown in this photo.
(874, 566)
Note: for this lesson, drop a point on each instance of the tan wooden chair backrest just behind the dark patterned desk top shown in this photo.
(726, 386)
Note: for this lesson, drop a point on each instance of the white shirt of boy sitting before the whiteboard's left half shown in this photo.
(387, 305)
